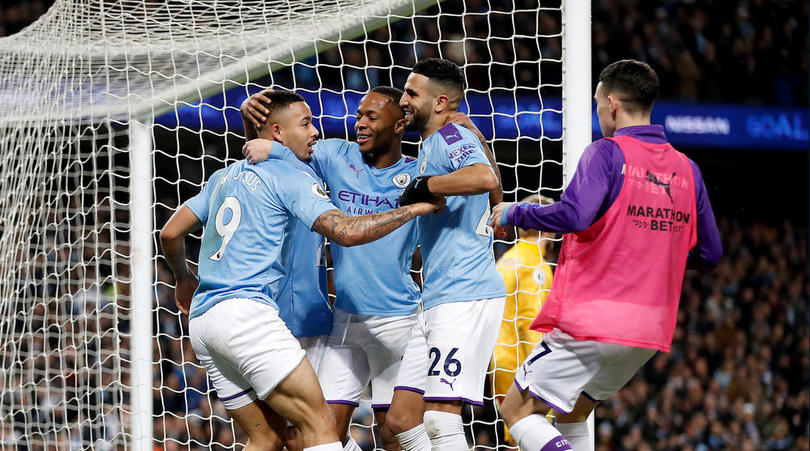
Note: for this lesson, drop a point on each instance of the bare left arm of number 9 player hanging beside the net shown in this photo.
(172, 240)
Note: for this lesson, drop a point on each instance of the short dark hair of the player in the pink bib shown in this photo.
(636, 82)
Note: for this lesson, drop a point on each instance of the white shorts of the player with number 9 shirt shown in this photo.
(245, 348)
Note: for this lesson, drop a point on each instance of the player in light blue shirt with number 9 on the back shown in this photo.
(255, 364)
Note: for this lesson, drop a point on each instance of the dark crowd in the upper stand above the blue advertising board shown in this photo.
(747, 51)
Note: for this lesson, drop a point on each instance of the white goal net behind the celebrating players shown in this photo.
(116, 112)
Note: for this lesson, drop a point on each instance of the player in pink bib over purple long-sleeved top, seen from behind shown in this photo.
(635, 215)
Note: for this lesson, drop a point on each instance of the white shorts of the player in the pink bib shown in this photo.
(561, 368)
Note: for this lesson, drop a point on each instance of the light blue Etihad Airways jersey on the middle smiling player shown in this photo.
(374, 278)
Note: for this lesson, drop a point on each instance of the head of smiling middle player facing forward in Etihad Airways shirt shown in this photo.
(379, 121)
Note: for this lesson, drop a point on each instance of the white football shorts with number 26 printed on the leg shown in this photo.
(450, 363)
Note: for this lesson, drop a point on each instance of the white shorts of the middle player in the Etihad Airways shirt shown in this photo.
(363, 349)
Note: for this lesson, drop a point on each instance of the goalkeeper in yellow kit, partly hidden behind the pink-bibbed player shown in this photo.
(527, 276)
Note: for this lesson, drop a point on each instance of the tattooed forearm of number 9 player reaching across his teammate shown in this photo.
(353, 230)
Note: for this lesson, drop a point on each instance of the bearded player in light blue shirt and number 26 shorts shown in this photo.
(463, 294)
